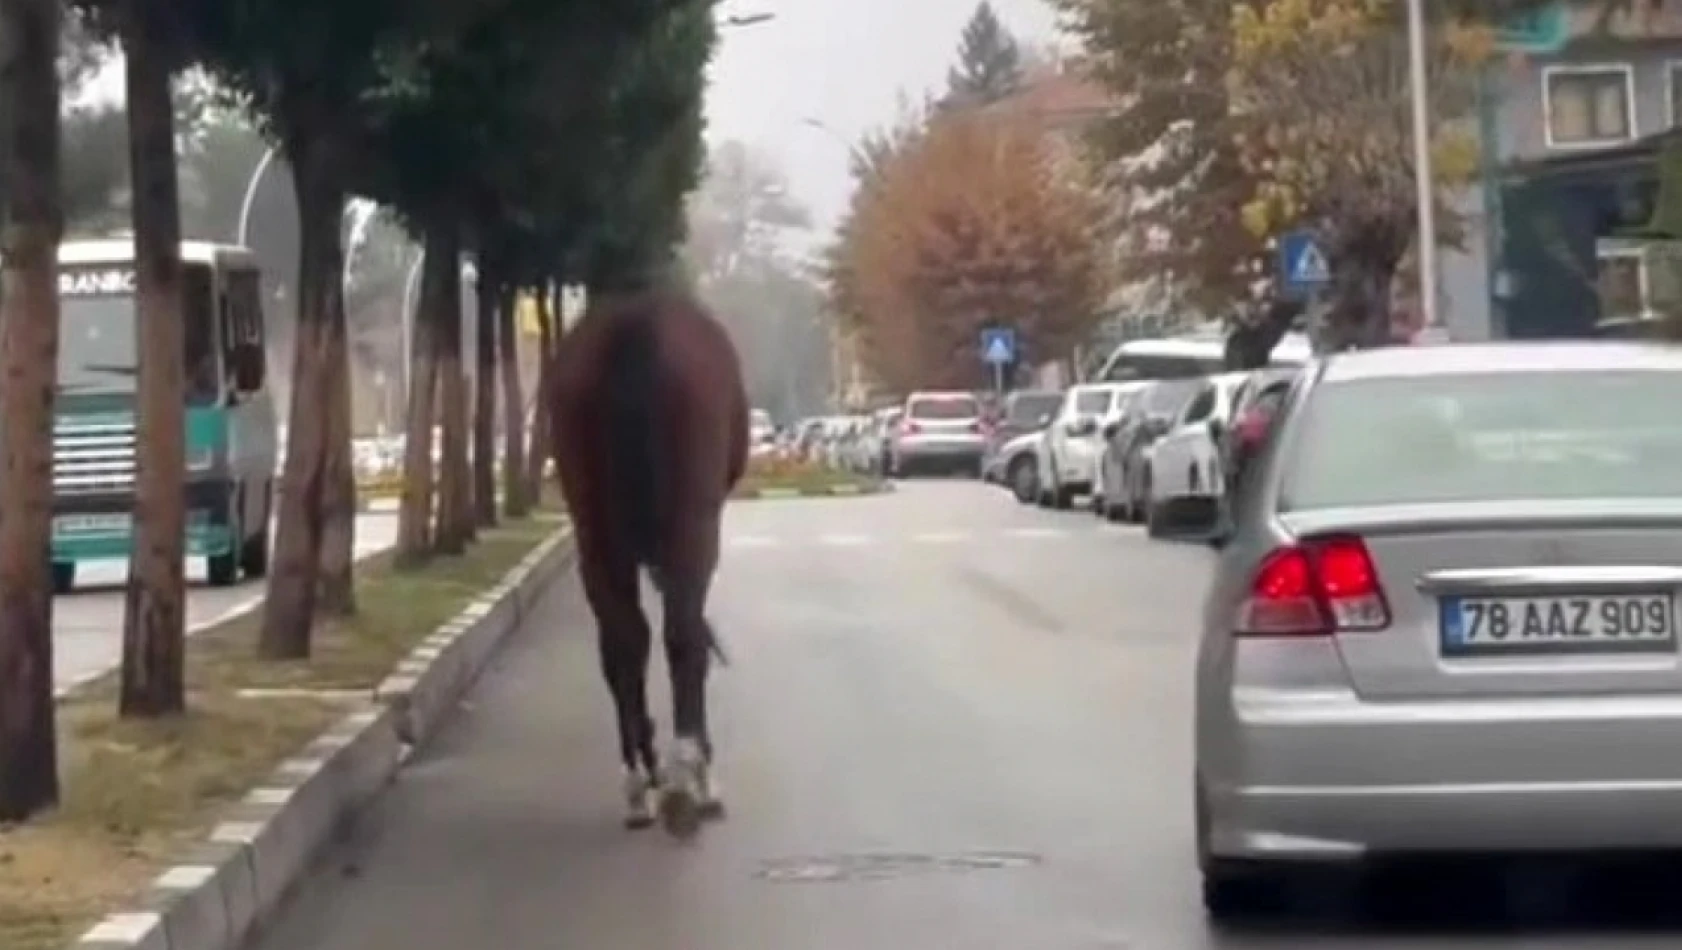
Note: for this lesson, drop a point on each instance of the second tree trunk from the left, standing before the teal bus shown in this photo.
(156, 611)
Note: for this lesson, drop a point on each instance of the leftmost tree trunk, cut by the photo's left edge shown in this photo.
(29, 359)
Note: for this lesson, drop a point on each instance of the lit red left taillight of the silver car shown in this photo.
(1320, 588)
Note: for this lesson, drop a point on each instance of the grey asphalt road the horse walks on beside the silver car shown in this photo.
(953, 724)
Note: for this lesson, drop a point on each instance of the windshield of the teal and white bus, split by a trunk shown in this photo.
(98, 349)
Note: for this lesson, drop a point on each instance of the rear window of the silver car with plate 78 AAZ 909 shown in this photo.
(1488, 438)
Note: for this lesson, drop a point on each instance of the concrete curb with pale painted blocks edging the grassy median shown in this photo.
(225, 889)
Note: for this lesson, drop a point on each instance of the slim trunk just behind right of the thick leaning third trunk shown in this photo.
(337, 593)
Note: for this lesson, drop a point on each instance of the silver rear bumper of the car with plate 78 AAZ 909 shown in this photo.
(1333, 778)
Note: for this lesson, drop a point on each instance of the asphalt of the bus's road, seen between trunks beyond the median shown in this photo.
(88, 623)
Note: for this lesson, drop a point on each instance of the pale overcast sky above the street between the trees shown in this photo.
(842, 63)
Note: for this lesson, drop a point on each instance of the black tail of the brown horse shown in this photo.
(633, 440)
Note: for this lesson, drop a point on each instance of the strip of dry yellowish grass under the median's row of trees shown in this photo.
(135, 794)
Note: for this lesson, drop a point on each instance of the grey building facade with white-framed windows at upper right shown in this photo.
(1572, 113)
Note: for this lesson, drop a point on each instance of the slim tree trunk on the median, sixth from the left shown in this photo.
(455, 510)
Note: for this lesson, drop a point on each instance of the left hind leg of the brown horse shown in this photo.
(625, 641)
